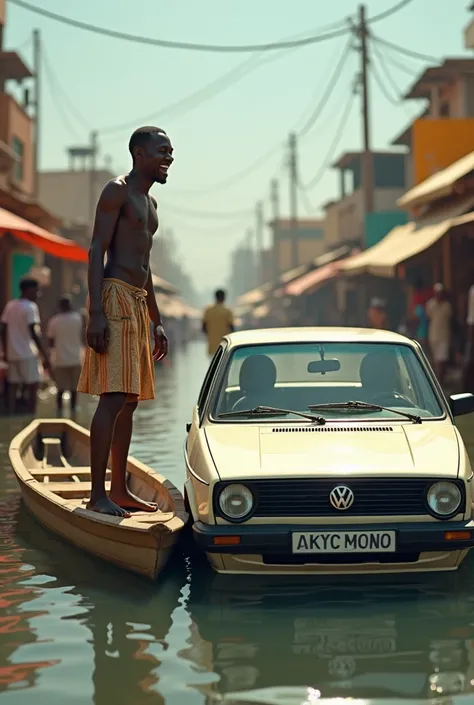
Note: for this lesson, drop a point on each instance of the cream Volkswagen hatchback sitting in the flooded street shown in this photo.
(327, 450)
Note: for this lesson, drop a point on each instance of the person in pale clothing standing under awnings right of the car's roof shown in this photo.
(439, 312)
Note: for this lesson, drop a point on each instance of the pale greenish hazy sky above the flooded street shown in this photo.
(111, 82)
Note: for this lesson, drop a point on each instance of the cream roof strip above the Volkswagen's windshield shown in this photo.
(264, 336)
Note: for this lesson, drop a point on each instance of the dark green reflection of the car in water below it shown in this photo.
(386, 639)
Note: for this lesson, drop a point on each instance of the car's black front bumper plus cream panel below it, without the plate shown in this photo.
(420, 547)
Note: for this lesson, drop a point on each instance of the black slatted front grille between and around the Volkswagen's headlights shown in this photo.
(310, 497)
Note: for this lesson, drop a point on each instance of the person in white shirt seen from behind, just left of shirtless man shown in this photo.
(66, 337)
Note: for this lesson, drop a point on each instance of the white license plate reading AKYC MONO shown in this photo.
(344, 542)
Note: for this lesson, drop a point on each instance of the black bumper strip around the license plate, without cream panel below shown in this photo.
(276, 539)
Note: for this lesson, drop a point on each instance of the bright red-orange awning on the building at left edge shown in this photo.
(54, 245)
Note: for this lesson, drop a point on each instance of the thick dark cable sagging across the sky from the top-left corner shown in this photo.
(138, 39)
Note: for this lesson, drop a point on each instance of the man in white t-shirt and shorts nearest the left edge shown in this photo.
(21, 344)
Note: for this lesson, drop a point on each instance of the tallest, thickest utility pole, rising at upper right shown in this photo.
(367, 163)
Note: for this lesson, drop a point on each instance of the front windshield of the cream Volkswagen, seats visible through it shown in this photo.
(301, 376)
